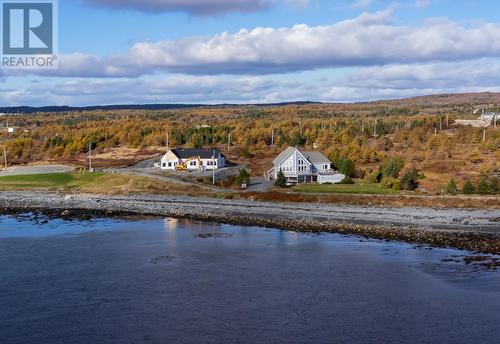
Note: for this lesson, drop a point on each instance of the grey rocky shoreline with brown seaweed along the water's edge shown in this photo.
(472, 230)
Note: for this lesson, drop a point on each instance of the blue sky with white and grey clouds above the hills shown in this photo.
(263, 51)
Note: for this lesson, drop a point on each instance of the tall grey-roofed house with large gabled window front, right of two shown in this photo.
(301, 166)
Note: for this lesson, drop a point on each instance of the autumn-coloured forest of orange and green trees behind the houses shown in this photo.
(422, 138)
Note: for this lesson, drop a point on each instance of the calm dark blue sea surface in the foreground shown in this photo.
(156, 280)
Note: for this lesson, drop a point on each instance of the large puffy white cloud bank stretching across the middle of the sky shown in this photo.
(368, 40)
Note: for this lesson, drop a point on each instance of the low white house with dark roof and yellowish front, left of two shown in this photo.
(192, 159)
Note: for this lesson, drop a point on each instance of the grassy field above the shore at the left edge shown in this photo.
(99, 183)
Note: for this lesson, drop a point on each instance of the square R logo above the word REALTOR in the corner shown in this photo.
(28, 28)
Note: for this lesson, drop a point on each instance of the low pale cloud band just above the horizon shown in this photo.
(369, 83)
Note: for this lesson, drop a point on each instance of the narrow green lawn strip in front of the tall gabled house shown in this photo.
(358, 188)
